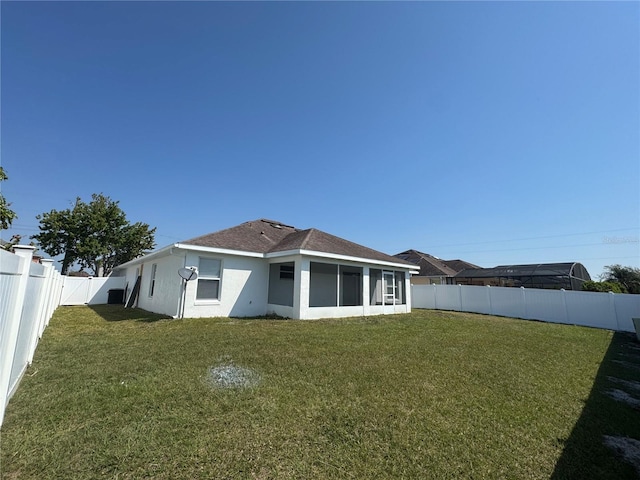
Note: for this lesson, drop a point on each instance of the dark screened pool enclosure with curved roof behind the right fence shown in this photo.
(569, 275)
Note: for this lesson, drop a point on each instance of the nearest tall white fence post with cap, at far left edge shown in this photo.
(10, 333)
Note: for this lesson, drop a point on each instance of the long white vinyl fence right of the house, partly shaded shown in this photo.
(591, 309)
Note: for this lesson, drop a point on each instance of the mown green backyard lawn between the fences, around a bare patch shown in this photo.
(117, 393)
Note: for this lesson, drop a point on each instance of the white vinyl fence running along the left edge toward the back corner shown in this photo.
(29, 293)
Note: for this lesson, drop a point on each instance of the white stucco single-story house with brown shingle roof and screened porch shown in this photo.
(265, 267)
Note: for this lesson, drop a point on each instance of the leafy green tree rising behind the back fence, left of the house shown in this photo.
(96, 235)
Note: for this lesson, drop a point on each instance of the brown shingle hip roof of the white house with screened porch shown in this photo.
(268, 236)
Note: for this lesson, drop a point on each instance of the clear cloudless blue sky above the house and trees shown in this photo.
(498, 133)
